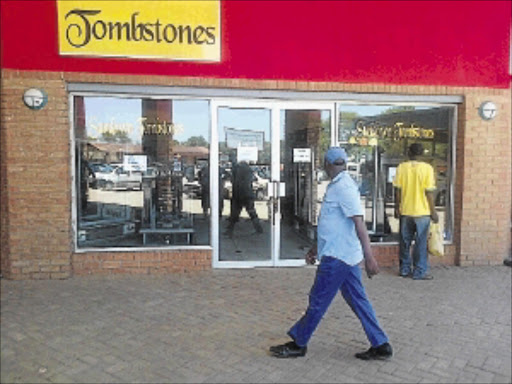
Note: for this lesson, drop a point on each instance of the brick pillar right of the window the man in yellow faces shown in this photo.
(486, 190)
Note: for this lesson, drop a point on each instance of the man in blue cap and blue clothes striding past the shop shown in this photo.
(342, 243)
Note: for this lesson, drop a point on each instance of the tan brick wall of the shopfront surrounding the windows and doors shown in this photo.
(36, 238)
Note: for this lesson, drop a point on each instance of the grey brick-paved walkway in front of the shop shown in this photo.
(216, 327)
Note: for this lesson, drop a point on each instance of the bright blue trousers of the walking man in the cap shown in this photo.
(333, 275)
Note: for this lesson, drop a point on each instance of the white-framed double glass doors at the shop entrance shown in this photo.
(269, 180)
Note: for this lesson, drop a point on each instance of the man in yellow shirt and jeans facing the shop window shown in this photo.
(414, 205)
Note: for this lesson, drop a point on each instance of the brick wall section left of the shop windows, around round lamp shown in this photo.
(36, 181)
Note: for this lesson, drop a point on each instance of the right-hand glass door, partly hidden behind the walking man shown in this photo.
(305, 135)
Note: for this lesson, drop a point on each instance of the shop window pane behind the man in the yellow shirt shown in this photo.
(378, 138)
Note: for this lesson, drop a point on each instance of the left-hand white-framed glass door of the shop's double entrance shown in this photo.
(245, 219)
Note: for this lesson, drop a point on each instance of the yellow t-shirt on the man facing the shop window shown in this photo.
(413, 178)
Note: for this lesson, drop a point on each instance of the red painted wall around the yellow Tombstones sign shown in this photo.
(465, 43)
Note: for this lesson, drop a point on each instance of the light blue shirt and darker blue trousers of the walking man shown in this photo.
(339, 253)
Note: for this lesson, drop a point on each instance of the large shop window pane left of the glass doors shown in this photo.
(137, 164)
